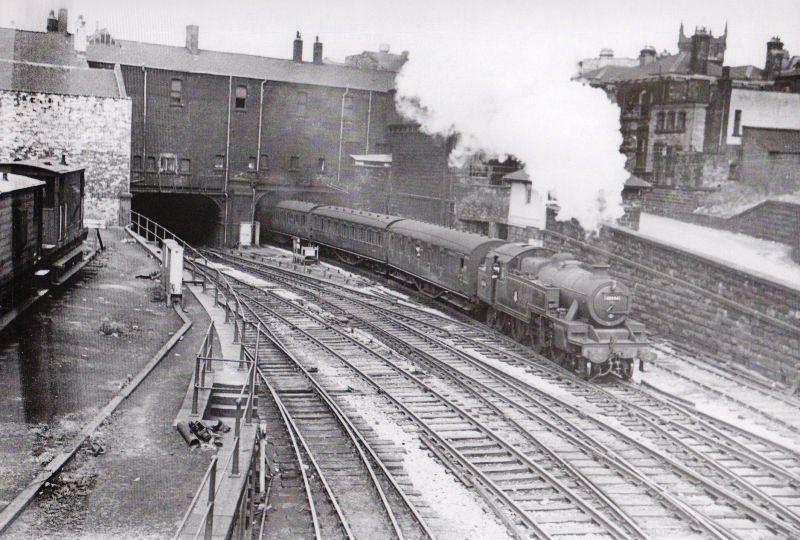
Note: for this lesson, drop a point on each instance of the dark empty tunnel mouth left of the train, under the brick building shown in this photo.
(194, 218)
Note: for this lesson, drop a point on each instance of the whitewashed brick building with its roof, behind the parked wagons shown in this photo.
(52, 103)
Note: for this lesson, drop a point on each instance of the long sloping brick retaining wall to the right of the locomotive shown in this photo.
(697, 301)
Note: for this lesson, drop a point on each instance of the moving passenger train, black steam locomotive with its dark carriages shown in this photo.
(572, 312)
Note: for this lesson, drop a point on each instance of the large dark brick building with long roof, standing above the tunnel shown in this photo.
(230, 134)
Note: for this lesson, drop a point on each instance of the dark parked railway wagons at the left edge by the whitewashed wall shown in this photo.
(41, 207)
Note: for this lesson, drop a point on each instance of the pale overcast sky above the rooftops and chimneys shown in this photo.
(267, 27)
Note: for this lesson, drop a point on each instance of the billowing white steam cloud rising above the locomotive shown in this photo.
(512, 94)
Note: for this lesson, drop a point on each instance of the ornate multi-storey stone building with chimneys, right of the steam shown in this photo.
(678, 112)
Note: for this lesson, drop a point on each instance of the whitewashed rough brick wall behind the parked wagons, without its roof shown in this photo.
(94, 132)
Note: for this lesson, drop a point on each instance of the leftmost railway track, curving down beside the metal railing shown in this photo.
(347, 492)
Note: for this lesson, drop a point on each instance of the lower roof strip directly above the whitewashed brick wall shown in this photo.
(51, 79)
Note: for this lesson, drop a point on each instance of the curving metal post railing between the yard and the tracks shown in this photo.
(226, 296)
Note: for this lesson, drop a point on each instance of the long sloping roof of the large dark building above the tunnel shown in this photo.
(172, 58)
